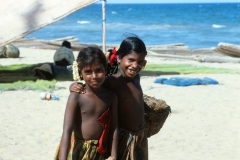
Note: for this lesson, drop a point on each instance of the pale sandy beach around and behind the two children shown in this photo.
(204, 123)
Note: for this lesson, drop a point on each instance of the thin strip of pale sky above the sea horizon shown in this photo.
(171, 1)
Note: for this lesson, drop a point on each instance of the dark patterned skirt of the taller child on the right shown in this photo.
(132, 146)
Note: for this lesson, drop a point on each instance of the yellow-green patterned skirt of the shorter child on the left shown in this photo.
(81, 150)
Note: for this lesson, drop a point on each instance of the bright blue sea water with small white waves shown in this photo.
(198, 25)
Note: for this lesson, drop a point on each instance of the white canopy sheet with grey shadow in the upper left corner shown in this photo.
(20, 18)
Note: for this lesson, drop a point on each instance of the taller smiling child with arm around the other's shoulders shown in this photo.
(132, 140)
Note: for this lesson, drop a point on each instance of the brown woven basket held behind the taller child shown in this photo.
(156, 113)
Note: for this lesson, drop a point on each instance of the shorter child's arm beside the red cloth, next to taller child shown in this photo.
(114, 128)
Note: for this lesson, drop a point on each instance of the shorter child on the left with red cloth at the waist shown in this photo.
(91, 118)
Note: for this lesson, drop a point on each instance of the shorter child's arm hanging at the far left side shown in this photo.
(70, 111)
